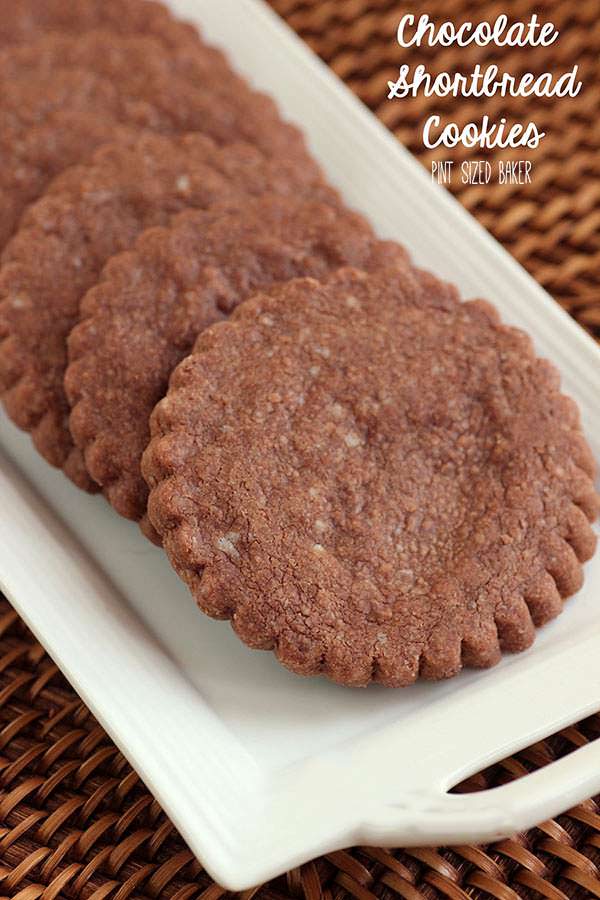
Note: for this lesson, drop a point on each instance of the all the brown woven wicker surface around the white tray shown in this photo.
(75, 820)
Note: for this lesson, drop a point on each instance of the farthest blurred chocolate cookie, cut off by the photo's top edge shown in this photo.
(22, 21)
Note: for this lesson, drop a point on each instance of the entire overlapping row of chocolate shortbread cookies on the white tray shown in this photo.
(363, 473)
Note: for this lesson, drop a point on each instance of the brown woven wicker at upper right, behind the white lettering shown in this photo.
(552, 226)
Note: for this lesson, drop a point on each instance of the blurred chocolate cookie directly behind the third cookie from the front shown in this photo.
(62, 96)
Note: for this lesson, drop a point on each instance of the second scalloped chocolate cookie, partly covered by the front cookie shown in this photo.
(150, 304)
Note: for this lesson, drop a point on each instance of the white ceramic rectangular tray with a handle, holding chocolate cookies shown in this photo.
(261, 770)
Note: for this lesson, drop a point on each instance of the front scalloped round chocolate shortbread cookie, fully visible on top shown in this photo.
(373, 489)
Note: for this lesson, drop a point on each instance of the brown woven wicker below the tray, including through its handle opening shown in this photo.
(76, 822)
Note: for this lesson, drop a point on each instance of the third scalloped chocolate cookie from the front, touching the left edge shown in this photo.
(89, 214)
